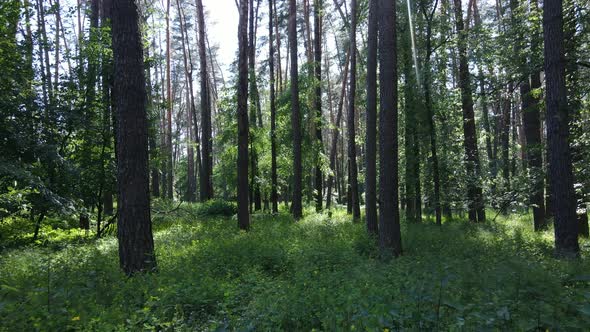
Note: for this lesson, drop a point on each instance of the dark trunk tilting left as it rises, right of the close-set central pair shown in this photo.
(474, 190)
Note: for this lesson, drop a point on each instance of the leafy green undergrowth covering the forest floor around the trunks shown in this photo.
(321, 273)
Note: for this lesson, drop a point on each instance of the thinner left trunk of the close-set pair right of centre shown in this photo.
(371, 118)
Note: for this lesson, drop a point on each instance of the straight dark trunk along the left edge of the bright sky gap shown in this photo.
(207, 158)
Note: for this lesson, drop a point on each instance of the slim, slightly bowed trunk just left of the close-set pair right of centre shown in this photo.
(350, 121)
